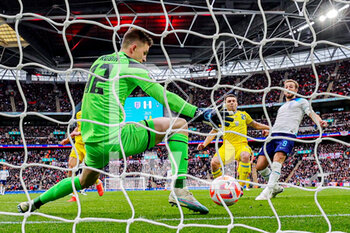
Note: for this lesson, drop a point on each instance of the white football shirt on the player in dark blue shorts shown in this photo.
(290, 115)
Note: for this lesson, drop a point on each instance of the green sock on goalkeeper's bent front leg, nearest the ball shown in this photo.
(178, 144)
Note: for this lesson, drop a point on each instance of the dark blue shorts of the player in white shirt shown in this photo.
(279, 145)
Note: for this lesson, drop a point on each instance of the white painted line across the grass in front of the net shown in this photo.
(197, 219)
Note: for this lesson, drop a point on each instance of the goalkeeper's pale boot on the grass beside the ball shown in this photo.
(187, 200)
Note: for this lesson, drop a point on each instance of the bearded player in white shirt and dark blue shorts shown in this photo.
(289, 117)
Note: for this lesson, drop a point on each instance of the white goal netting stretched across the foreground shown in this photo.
(168, 30)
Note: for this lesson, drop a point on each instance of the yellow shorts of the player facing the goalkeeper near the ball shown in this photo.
(232, 151)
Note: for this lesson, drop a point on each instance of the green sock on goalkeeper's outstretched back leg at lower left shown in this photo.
(61, 189)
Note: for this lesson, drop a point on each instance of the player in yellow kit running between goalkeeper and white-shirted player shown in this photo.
(235, 147)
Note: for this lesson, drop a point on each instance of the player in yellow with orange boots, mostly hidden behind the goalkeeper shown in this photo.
(80, 146)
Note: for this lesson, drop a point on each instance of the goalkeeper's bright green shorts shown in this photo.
(135, 139)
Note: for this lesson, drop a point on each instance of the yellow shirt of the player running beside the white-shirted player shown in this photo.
(240, 121)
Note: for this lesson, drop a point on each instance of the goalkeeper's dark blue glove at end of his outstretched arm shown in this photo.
(209, 116)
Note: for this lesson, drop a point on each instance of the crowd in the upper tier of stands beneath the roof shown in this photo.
(53, 97)
